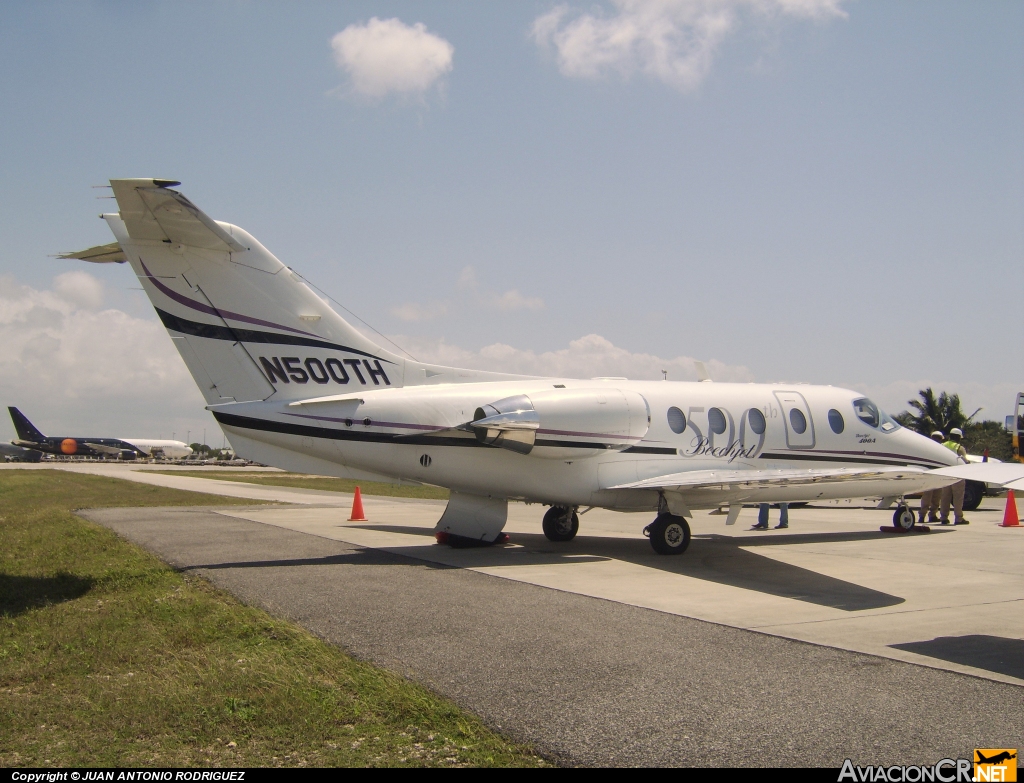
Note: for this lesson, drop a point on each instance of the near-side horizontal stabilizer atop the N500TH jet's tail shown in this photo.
(152, 211)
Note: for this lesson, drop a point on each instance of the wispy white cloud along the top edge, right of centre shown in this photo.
(673, 41)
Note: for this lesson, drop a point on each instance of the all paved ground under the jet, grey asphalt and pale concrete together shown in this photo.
(602, 652)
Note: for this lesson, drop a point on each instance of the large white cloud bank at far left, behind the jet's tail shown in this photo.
(71, 366)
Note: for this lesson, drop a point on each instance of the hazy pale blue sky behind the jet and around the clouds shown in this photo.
(832, 198)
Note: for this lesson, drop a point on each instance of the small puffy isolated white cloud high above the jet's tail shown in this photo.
(389, 57)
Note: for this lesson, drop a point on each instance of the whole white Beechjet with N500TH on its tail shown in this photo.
(295, 386)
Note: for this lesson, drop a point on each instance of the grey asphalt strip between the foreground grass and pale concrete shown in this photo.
(591, 681)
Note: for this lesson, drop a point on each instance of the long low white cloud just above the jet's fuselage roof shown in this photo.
(590, 357)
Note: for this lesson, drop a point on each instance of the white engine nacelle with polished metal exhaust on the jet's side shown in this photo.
(565, 424)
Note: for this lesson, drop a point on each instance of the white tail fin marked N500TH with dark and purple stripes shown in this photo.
(247, 327)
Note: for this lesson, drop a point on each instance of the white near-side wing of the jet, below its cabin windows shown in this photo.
(764, 480)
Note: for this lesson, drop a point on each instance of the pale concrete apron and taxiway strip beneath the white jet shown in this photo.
(833, 579)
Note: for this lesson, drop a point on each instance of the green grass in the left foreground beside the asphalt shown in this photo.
(110, 658)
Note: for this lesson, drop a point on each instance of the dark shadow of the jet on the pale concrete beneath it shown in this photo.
(719, 559)
